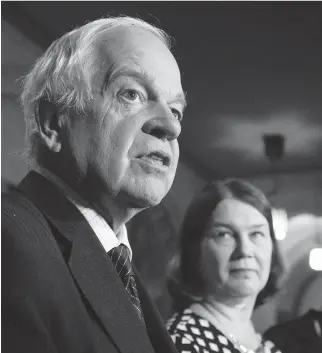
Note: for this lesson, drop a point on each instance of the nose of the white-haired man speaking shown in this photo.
(162, 124)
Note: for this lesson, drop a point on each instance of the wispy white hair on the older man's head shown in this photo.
(63, 74)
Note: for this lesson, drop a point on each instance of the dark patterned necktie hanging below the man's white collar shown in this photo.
(120, 257)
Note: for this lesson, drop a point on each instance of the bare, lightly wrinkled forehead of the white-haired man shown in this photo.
(137, 53)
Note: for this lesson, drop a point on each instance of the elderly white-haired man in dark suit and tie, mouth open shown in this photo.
(103, 107)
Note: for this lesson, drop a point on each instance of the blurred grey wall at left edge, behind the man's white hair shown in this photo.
(18, 55)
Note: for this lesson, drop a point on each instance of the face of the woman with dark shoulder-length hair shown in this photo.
(236, 251)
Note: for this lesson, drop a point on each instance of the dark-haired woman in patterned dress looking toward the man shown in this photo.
(227, 264)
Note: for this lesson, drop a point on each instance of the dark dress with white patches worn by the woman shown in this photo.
(193, 334)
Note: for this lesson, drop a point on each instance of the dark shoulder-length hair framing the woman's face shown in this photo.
(186, 280)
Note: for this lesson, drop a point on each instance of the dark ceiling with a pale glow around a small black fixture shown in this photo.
(249, 68)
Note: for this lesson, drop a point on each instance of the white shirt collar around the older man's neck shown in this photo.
(101, 228)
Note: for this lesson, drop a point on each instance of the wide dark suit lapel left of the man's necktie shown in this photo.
(90, 266)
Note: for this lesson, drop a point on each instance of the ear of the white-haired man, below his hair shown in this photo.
(50, 123)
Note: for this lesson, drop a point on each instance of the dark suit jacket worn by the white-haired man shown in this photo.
(60, 290)
